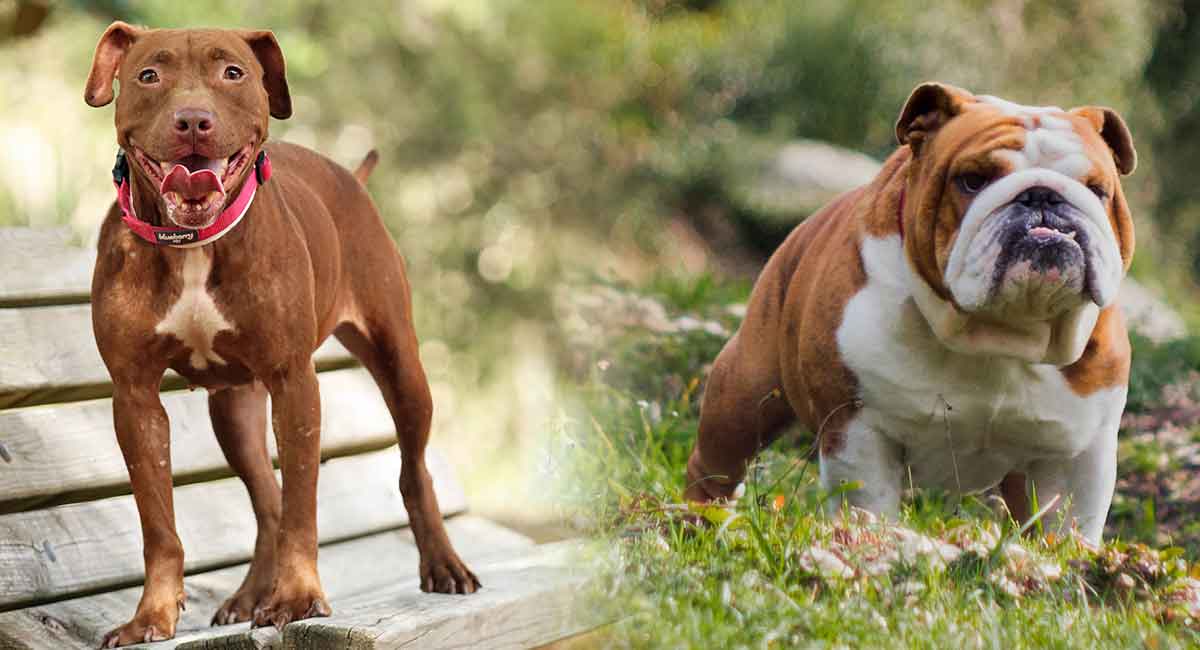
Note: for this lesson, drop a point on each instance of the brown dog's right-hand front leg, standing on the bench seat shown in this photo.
(296, 416)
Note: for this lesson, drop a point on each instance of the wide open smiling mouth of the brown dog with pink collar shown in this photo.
(194, 189)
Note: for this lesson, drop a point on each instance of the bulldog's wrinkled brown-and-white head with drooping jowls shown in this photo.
(1027, 219)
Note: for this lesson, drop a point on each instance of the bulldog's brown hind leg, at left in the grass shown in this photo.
(743, 412)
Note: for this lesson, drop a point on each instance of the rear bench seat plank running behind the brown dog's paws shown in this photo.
(82, 623)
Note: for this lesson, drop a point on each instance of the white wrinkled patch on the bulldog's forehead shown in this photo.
(1051, 140)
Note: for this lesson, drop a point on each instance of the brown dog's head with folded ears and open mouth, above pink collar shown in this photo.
(193, 112)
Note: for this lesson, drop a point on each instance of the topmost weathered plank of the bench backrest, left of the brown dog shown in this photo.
(44, 267)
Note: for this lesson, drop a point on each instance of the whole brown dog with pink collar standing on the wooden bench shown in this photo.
(239, 305)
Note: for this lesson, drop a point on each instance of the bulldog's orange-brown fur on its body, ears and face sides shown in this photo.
(784, 366)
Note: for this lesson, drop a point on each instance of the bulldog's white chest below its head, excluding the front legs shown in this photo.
(963, 420)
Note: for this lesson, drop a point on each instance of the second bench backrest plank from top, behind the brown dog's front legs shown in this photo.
(49, 354)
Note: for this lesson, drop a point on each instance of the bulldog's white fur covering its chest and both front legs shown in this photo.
(962, 422)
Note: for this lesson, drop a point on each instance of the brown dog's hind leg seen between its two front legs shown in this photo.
(239, 419)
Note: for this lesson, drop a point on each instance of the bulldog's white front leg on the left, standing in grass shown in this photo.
(872, 459)
